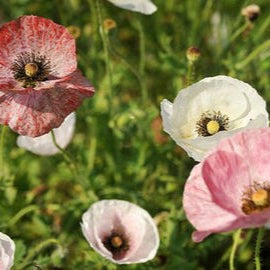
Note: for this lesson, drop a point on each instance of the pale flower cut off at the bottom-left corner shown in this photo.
(7, 249)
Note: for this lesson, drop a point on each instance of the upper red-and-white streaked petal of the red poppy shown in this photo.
(40, 36)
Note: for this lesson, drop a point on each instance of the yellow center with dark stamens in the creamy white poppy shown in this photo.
(211, 123)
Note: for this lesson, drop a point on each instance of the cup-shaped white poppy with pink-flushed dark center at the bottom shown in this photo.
(120, 231)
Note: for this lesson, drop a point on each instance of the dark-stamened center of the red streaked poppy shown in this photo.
(30, 68)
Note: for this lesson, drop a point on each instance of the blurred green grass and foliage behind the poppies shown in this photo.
(119, 147)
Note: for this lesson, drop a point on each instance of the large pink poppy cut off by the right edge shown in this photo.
(230, 188)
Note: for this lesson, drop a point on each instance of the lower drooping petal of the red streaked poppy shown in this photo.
(35, 112)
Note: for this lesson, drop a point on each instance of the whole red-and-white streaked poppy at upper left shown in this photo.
(39, 80)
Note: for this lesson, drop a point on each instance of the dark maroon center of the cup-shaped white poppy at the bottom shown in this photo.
(117, 244)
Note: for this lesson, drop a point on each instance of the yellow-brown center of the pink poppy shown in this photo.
(256, 198)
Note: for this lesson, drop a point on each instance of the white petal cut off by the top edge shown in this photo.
(142, 6)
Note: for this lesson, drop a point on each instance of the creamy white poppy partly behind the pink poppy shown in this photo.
(209, 110)
